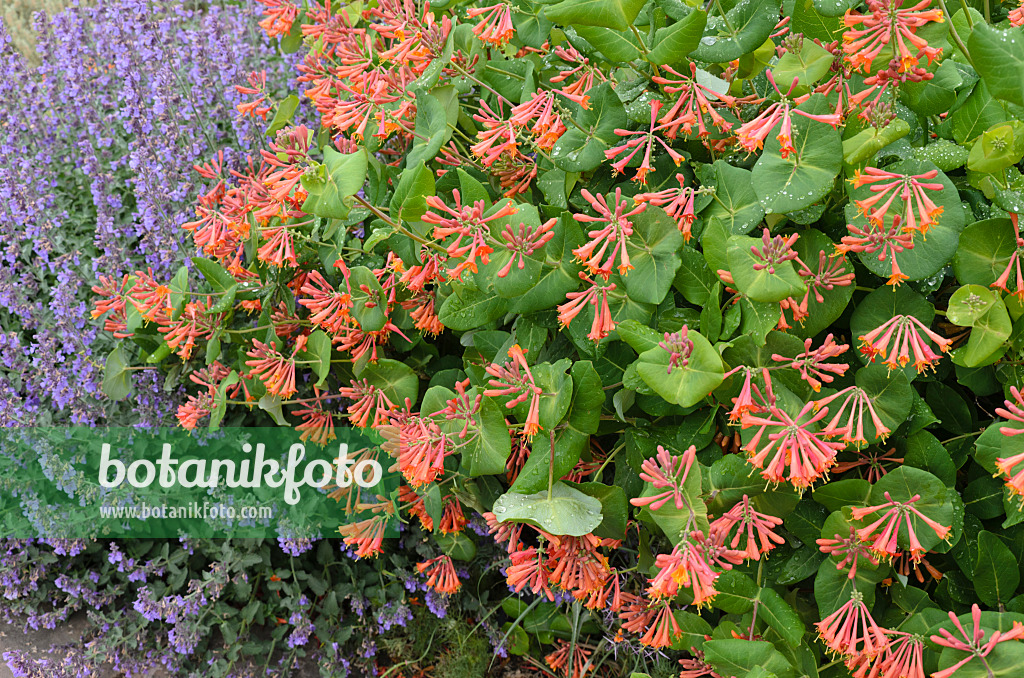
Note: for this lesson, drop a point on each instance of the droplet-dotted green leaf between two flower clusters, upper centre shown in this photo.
(582, 148)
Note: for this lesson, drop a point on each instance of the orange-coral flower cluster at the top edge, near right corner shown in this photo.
(888, 25)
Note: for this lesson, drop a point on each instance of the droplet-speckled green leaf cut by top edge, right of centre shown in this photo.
(744, 29)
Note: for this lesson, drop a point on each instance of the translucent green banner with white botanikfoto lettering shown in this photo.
(247, 483)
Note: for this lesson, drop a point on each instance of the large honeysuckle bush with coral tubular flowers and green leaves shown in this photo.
(712, 312)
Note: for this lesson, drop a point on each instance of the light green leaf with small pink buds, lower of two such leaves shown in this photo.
(685, 386)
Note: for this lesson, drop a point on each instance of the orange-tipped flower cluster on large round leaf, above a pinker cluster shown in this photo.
(920, 211)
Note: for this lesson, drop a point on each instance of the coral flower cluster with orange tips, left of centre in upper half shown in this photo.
(465, 223)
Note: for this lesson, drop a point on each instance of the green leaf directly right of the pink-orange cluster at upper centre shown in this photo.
(653, 250)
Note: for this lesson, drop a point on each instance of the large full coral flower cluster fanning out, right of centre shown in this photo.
(808, 455)
